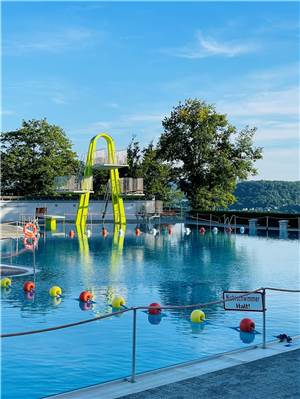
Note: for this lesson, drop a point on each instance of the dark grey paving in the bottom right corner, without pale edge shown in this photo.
(275, 377)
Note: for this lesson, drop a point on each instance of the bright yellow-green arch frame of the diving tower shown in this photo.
(87, 183)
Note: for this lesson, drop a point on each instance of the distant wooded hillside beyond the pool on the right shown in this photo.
(268, 195)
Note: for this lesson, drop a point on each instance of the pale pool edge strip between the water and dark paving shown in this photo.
(159, 377)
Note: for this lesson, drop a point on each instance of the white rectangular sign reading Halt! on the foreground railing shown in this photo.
(239, 300)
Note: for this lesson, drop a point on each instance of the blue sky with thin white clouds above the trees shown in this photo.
(121, 67)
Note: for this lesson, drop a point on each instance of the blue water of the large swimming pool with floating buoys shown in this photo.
(169, 269)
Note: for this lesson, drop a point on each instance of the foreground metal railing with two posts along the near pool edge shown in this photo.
(134, 309)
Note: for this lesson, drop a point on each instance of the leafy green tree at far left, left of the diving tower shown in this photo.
(32, 156)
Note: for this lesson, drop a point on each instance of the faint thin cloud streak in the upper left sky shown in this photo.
(53, 42)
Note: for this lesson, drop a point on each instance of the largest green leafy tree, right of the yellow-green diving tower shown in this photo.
(208, 155)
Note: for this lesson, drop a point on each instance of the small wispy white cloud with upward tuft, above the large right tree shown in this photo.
(208, 46)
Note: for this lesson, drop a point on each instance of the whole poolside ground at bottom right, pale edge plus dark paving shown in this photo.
(253, 372)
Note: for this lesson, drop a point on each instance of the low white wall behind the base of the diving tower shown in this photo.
(13, 210)
